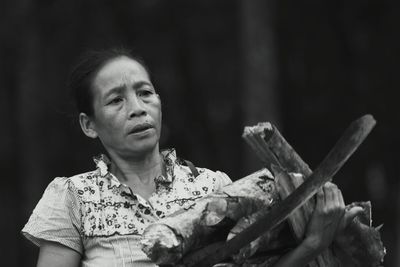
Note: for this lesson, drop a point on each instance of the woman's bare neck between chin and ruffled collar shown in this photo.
(141, 169)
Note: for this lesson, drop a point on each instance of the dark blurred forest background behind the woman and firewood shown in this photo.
(310, 67)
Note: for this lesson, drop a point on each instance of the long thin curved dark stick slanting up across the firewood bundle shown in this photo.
(344, 148)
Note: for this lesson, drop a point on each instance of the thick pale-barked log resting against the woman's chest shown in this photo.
(166, 241)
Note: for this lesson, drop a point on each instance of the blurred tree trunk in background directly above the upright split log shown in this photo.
(260, 71)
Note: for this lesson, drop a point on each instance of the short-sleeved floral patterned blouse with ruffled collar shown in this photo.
(99, 217)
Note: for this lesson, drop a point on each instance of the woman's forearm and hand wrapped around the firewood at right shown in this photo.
(328, 218)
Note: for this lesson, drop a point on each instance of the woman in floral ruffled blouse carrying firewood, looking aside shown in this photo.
(96, 218)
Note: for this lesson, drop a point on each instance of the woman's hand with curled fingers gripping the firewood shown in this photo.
(326, 220)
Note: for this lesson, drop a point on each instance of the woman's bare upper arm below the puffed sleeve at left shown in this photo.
(55, 254)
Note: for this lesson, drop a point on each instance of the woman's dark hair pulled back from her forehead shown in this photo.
(82, 75)
